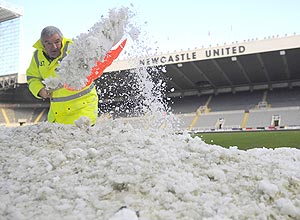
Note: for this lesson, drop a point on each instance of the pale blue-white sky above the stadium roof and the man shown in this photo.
(174, 25)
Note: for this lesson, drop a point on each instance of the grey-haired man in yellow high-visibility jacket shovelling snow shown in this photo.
(65, 106)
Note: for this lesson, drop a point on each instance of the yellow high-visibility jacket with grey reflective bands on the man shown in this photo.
(65, 106)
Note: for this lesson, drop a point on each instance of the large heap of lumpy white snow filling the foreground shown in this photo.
(52, 171)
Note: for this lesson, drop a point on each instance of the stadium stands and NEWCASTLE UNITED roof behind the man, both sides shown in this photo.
(254, 84)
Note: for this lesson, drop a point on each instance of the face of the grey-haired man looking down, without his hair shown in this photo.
(53, 45)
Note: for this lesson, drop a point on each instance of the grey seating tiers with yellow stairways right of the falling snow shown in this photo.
(244, 110)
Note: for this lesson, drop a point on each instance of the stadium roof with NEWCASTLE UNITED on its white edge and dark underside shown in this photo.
(241, 66)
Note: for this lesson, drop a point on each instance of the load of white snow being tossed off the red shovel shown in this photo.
(90, 47)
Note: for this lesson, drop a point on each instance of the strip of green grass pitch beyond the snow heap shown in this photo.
(253, 139)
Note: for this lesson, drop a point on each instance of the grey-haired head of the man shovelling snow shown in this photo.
(51, 38)
